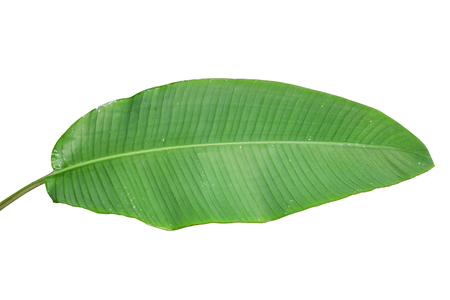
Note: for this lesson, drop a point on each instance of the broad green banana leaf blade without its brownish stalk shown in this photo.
(227, 150)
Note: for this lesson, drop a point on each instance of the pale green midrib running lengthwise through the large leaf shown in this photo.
(140, 152)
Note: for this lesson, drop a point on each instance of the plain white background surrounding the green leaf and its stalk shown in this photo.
(59, 60)
